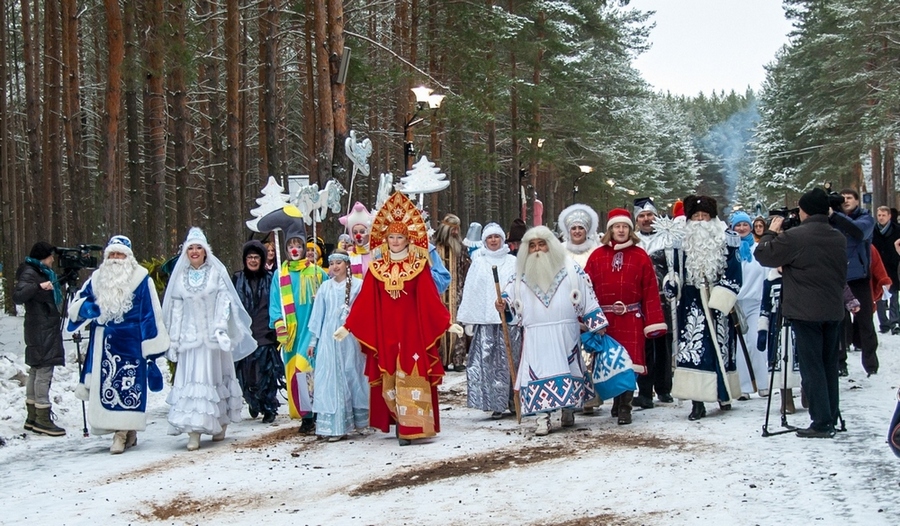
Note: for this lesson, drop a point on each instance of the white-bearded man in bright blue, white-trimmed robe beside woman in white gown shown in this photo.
(127, 334)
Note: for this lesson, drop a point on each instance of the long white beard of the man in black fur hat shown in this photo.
(704, 251)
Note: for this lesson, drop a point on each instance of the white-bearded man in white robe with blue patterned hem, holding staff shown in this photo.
(551, 297)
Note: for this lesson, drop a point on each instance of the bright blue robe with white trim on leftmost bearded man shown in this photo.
(118, 356)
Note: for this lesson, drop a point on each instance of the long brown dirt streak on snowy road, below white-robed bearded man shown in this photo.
(488, 462)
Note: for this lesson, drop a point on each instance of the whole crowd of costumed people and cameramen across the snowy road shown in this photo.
(360, 337)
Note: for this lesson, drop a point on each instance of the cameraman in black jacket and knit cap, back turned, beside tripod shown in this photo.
(814, 266)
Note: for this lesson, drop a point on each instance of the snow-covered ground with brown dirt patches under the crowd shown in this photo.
(662, 469)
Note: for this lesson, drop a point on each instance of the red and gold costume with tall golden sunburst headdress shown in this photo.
(398, 318)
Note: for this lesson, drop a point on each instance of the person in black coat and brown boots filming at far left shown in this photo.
(37, 289)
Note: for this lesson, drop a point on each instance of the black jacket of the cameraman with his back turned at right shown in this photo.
(813, 257)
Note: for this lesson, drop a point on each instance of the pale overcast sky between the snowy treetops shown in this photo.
(707, 45)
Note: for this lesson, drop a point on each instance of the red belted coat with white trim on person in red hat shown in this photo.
(625, 273)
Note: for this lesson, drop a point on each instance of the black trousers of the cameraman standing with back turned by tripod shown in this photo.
(817, 356)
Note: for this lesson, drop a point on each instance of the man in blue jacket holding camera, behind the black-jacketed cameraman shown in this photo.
(858, 227)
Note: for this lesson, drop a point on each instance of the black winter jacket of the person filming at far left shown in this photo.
(43, 331)
